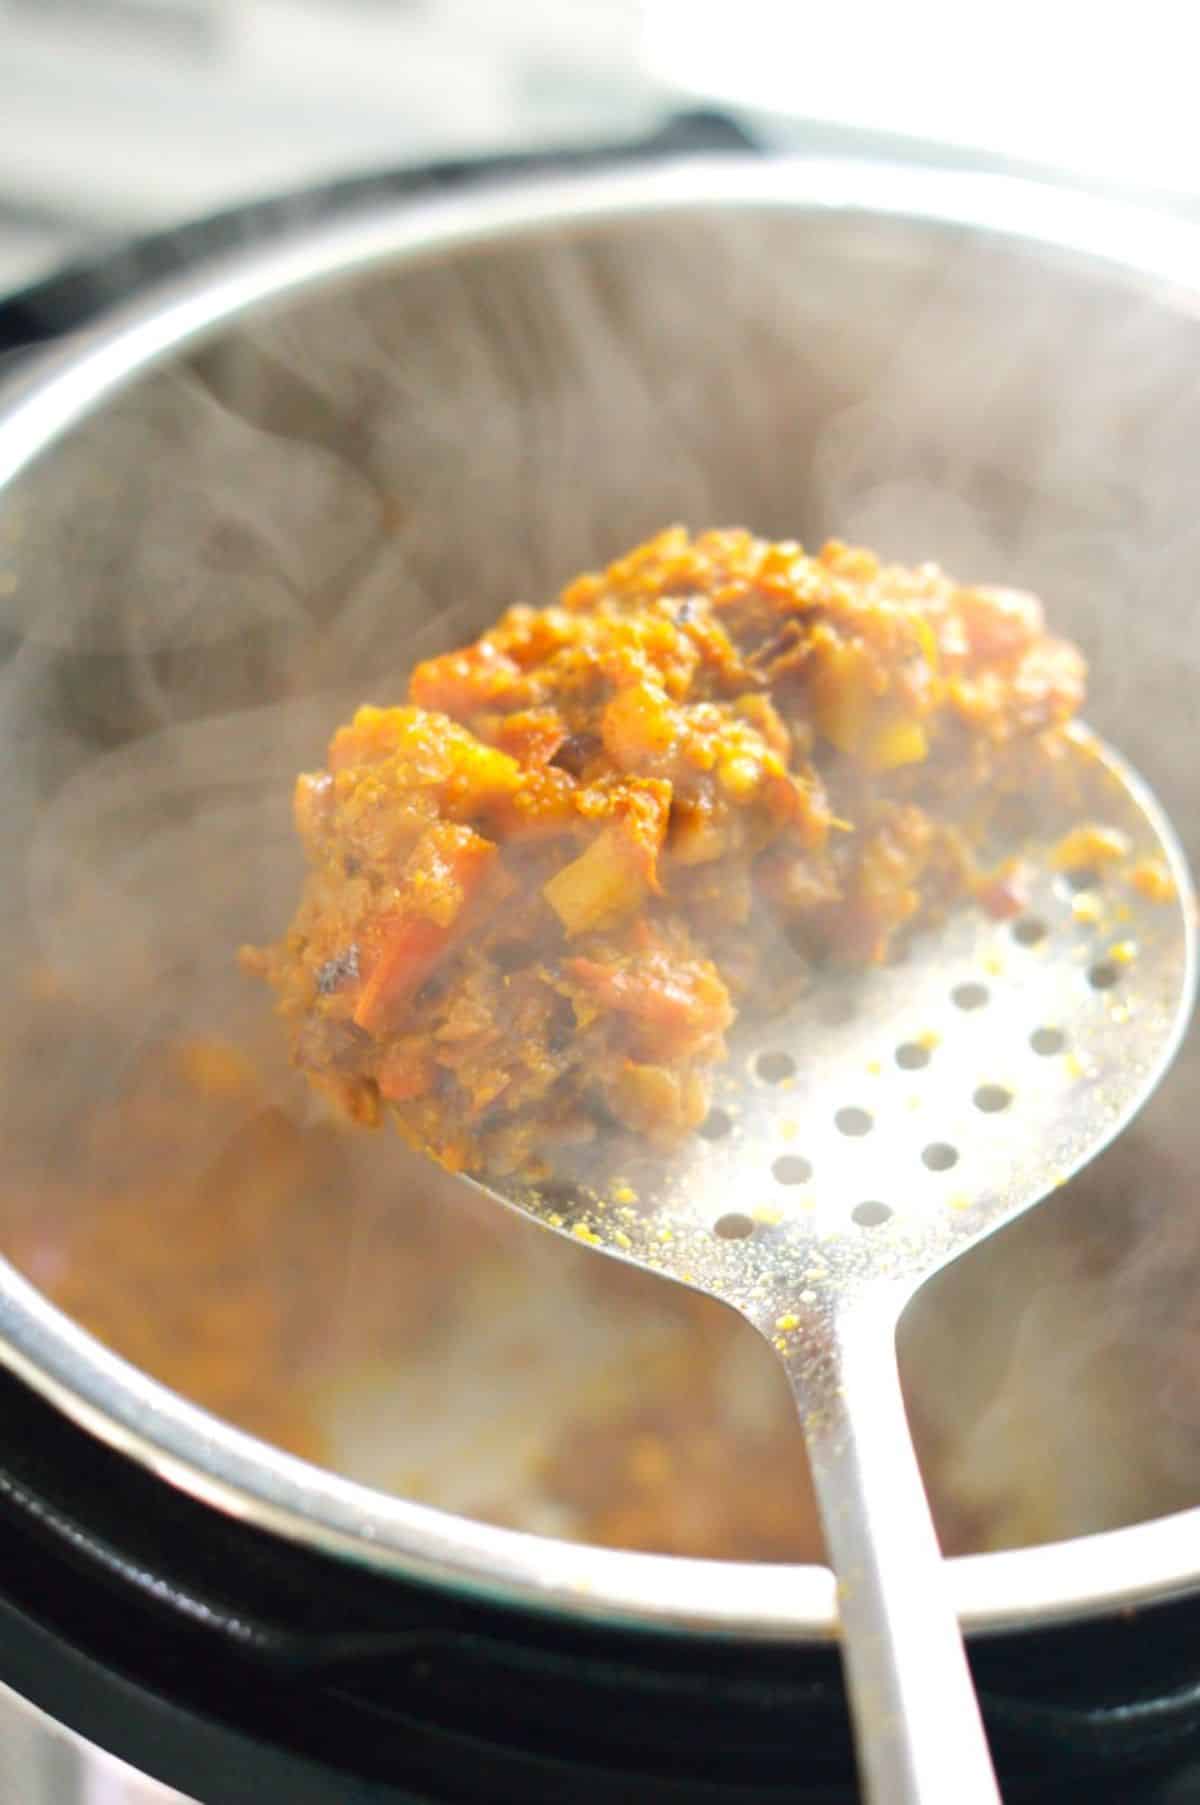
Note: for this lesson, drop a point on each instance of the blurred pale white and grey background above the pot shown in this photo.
(118, 116)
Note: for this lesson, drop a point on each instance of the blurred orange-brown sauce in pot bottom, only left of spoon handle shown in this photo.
(252, 1261)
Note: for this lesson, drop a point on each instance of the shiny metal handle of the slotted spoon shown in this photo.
(918, 1723)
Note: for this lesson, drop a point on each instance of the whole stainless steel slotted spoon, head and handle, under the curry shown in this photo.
(874, 1133)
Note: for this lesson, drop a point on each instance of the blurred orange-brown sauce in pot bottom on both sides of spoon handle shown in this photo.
(261, 1264)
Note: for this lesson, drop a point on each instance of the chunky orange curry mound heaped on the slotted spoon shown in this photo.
(542, 887)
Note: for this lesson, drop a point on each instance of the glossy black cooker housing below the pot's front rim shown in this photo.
(237, 1667)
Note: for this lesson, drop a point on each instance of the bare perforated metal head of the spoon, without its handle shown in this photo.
(887, 1122)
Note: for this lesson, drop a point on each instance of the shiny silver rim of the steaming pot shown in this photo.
(250, 1479)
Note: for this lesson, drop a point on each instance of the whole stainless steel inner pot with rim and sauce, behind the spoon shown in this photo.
(257, 499)
